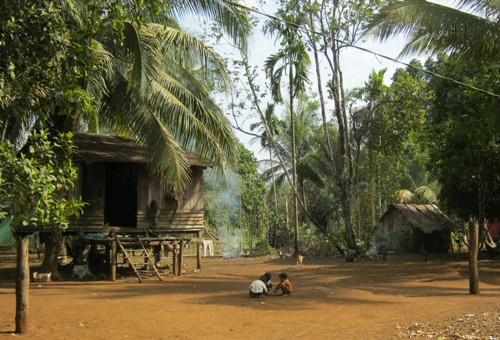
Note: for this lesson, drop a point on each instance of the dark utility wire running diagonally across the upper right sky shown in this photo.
(307, 30)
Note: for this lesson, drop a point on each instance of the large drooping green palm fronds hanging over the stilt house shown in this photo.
(158, 88)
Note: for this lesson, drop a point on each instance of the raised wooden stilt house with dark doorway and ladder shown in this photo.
(127, 203)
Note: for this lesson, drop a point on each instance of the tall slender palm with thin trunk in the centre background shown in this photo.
(290, 64)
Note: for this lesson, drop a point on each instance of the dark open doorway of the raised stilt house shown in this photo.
(121, 195)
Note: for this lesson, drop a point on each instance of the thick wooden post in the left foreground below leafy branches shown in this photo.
(22, 284)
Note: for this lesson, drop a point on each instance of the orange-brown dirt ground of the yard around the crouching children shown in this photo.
(373, 299)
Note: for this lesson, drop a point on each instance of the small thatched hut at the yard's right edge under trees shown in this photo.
(413, 227)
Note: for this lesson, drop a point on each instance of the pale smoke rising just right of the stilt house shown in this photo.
(222, 197)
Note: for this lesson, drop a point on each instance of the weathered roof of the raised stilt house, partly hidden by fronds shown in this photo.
(92, 148)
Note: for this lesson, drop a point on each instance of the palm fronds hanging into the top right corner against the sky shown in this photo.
(432, 28)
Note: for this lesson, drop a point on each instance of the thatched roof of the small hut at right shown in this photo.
(426, 217)
